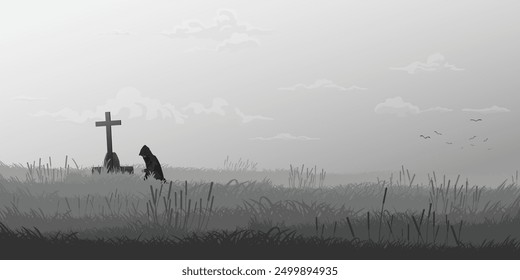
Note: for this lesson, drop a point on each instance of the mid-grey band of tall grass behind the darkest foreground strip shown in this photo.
(440, 213)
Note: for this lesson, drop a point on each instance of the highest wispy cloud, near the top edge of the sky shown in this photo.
(225, 25)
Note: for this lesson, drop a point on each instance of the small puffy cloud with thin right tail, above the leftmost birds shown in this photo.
(397, 106)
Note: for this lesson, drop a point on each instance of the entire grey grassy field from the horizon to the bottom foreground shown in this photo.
(238, 212)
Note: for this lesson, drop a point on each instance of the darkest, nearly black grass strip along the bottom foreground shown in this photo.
(238, 244)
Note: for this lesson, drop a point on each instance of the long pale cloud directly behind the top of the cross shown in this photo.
(127, 98)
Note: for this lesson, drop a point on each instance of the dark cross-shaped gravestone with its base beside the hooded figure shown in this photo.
(111, 160)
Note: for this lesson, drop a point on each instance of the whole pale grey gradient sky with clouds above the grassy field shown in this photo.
(349, 86)
